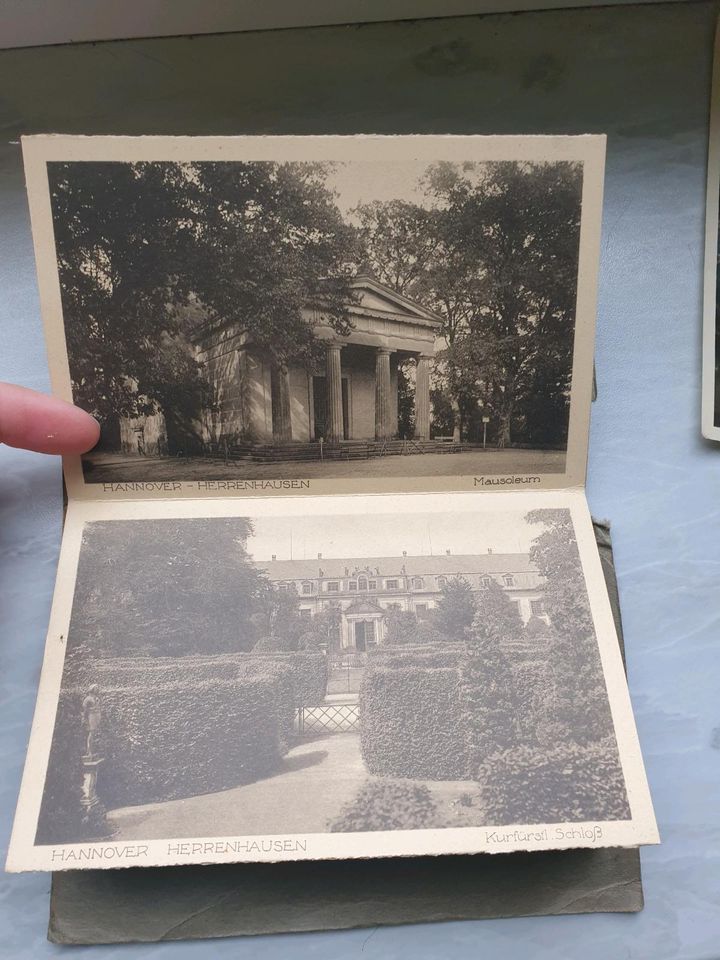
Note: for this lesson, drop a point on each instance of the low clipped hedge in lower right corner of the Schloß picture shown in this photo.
(570, 783)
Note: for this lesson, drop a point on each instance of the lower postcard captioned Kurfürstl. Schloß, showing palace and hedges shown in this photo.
(330, 678)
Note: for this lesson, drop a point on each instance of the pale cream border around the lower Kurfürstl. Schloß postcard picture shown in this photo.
(640, 829)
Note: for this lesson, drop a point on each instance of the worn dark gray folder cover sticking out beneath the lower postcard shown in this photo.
(172, 903)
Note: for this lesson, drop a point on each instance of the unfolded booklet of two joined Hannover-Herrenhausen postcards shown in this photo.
(328, 585)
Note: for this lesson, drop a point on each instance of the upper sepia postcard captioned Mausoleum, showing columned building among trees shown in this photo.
(320, 314)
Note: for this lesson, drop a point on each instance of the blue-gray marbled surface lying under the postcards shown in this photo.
(643, 76)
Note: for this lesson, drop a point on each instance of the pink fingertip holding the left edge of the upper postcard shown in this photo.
(35, 421)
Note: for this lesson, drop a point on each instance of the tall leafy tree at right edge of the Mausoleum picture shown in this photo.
(517, 228)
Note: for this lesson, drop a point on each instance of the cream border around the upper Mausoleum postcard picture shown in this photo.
(588, 149)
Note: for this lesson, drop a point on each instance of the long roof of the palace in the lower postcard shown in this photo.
(448, 565)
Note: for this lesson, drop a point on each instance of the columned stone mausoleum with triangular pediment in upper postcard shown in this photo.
(353, 396)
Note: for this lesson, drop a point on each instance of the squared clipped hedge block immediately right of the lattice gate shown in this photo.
(412, 722)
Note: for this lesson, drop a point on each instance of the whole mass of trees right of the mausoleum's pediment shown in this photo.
(497, 259)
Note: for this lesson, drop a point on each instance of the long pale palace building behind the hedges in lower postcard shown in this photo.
(365, 589)
